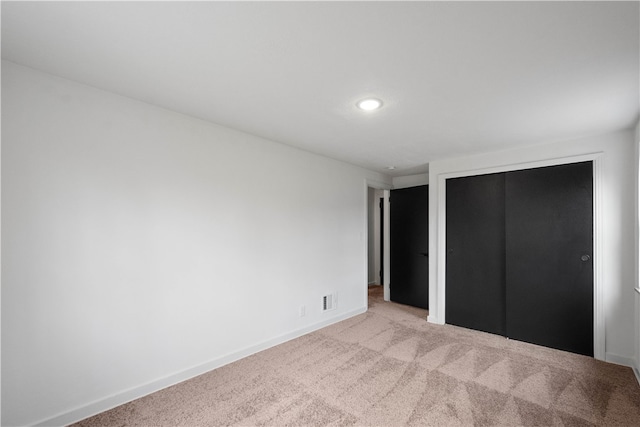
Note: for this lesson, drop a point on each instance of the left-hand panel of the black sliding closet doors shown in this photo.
(475, 261)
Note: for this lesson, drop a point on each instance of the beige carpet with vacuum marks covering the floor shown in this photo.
(389, 367)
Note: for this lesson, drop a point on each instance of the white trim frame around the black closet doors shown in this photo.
(438, 292)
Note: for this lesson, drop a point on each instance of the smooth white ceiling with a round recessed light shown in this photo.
(455, 77)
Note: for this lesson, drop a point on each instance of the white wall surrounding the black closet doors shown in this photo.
(616, 236)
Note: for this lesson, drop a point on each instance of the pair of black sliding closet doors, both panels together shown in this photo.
(520, 255)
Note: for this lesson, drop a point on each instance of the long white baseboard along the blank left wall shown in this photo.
(126, 396)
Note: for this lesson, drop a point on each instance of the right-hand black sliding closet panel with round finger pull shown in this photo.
(549, 256)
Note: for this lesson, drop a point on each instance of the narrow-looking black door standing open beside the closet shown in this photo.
(409, 241)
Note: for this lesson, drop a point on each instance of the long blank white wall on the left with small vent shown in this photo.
(141, 246)
